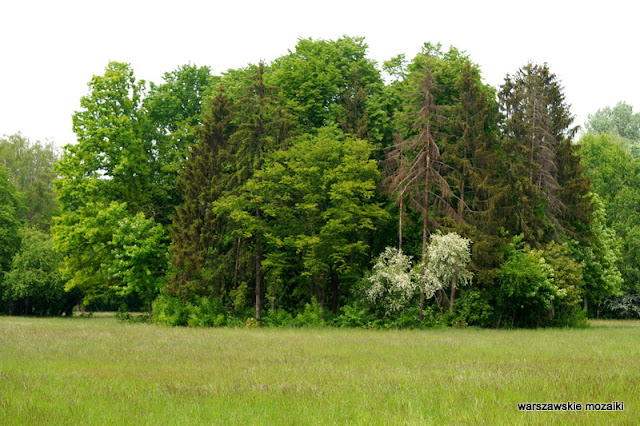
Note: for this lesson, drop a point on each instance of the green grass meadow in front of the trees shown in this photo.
(100, 371)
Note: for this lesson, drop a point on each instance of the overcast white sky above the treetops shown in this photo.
(51, 49)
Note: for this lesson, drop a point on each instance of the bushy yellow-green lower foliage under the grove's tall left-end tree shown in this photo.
(106, 247)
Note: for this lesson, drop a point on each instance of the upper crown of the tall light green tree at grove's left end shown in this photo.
(111, 160)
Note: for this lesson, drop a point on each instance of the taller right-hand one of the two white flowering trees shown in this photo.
(445, 265)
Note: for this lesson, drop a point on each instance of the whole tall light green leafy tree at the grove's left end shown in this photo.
(107, 182)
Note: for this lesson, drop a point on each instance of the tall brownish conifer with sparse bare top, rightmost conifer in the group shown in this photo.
(536, 123)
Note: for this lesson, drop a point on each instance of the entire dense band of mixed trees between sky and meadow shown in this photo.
(277, 194)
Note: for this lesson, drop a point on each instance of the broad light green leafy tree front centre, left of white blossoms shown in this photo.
(317, 210)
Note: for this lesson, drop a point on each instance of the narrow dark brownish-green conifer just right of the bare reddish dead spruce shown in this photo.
(475, 156)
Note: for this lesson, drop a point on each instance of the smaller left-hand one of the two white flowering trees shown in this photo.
(393, 283)
